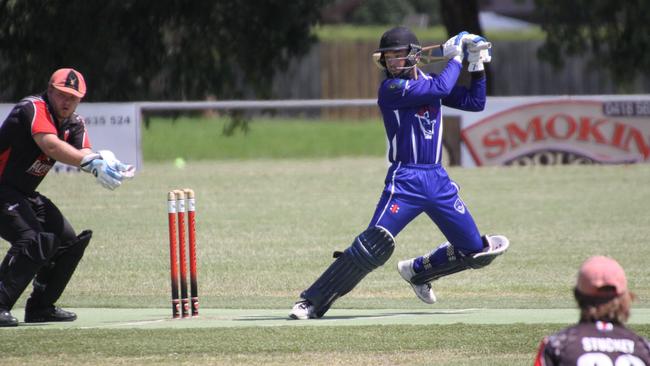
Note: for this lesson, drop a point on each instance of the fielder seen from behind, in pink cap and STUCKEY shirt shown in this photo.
(600, 338)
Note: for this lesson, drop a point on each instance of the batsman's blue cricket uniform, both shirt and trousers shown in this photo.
(416, 182)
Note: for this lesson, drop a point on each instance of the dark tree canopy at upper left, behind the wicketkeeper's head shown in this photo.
(153, 50)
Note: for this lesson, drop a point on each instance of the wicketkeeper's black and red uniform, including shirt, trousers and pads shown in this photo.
(43, 243)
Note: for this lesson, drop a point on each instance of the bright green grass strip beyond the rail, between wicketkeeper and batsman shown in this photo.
(203, 139)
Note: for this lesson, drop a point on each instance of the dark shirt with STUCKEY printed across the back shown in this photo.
(594, 344)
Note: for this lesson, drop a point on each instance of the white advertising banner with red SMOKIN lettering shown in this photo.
(552, 130)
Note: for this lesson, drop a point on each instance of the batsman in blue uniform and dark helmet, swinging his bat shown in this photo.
(411, 103)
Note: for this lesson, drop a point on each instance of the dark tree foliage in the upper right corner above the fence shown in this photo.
(614, 32)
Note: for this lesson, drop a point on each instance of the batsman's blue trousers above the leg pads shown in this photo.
(411, 189)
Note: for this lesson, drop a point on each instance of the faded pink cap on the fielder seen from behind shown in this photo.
(601, 276)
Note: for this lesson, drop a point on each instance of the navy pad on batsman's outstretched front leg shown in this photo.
(370, 249)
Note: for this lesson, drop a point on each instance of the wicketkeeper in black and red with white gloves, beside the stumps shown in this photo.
(41, 130)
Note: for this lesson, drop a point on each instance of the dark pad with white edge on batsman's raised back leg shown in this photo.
(494, 246)
